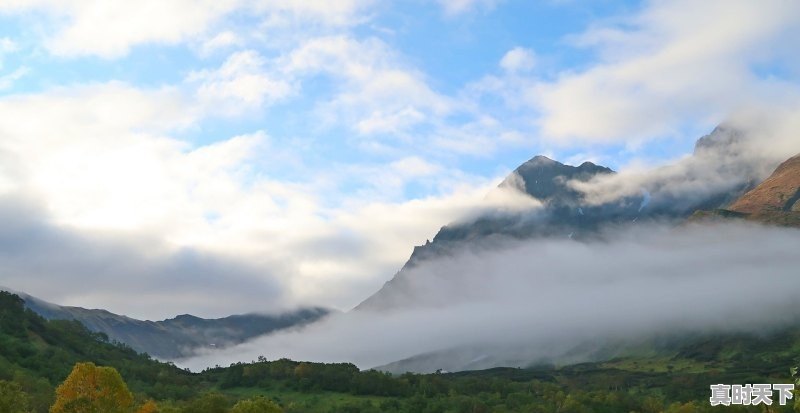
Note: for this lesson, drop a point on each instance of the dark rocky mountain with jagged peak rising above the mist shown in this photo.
(566, 212)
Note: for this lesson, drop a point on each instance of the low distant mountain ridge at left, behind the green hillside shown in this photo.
(176, 337)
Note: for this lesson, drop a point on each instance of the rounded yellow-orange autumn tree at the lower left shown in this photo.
(92, 389)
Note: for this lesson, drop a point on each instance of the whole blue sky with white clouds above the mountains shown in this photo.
(219, 157)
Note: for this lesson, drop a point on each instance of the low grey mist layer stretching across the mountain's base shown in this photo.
(558, 300)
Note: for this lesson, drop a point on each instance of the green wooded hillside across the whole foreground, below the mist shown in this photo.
(36, 355)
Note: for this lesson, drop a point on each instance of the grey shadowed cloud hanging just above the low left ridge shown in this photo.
(127, 272)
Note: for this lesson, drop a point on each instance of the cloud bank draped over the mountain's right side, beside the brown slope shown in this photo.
(735, 156)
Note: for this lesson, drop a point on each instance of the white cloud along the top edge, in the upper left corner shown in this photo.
(110, 30)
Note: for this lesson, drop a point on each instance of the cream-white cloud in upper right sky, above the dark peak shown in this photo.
(673, 63)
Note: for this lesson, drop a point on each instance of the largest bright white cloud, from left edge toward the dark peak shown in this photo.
(102, 159)
